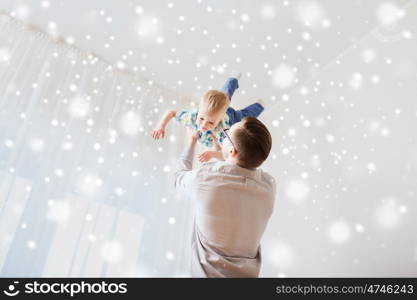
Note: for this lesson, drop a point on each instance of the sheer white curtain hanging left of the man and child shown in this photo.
(83, 189)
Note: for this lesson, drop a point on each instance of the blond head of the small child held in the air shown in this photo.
(211, 110)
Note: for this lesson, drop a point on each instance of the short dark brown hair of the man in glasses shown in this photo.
(253, 142)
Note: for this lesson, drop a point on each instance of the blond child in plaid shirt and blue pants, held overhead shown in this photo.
(213, 117)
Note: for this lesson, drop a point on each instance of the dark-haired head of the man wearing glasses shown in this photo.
(250, 143)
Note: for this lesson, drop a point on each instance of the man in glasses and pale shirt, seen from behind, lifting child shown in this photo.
(234, 201)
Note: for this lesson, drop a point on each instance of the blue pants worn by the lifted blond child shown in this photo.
(253, 110)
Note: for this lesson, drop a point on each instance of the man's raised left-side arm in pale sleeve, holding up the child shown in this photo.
(184, 175)
